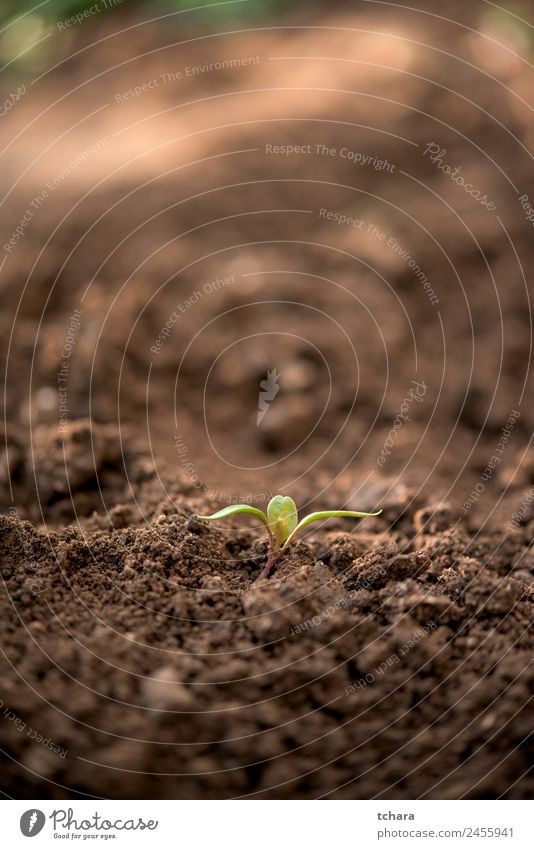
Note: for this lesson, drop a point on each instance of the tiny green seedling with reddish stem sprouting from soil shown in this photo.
(282, 522)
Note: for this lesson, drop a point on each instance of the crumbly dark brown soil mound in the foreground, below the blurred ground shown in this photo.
(160, 665)
